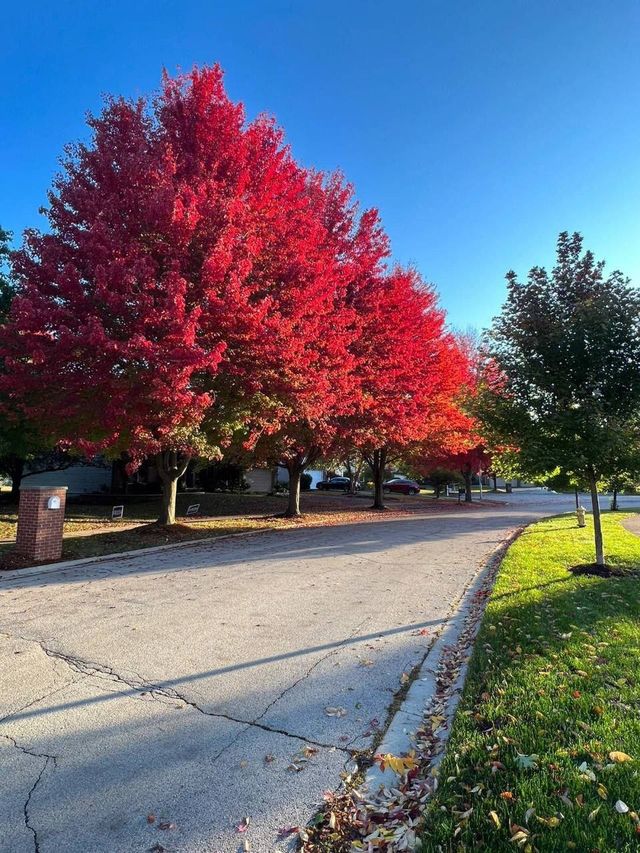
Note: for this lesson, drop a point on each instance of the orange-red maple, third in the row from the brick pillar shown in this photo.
(410, 373)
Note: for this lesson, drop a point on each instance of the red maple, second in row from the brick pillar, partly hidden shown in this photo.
(309, 377)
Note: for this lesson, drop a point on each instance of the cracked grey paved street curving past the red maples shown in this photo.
(154, 702)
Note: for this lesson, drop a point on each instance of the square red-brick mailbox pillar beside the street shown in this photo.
(40, 522)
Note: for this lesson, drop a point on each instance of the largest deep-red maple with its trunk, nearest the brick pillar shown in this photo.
(171, 235)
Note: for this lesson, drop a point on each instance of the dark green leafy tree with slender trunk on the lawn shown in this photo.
(567, 349)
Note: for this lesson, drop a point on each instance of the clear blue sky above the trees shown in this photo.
(479, 129)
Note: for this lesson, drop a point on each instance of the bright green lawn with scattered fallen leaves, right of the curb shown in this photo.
(552, 694)
